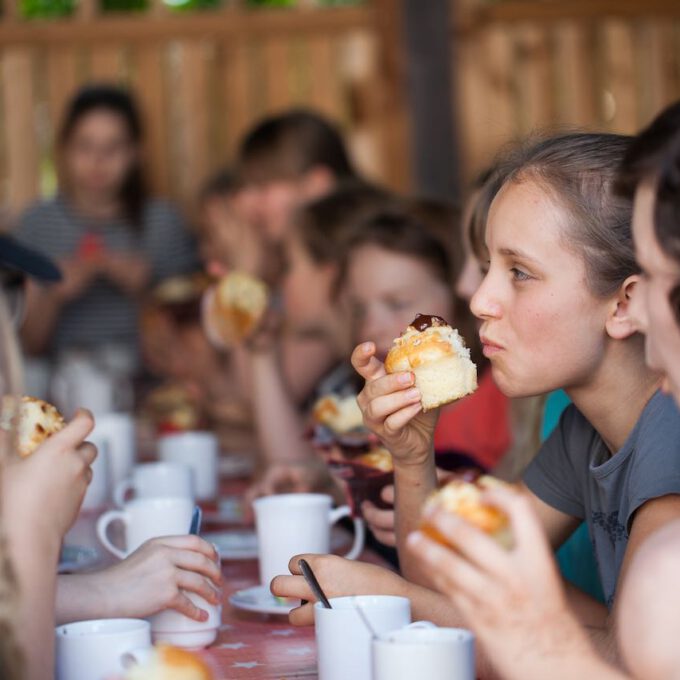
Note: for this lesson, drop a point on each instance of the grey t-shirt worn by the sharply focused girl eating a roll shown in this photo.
(575, 473)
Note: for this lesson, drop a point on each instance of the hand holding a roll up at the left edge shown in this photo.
(42, 494)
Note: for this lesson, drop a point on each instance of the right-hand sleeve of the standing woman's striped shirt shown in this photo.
(170, 245)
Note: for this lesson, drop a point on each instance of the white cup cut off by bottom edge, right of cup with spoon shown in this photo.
(432, 653)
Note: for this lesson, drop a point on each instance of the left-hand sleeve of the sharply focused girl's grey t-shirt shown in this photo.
(553, 475)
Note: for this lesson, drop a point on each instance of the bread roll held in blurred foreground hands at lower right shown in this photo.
(464, 499)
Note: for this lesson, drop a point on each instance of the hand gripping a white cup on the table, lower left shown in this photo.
(153, 577)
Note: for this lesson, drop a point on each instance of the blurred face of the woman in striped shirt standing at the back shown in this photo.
(99, 153)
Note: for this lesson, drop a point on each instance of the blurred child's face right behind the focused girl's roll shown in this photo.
(386, 290)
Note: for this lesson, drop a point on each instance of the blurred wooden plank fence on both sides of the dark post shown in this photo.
(202, 78)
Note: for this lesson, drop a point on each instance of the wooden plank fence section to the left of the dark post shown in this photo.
(201, 80)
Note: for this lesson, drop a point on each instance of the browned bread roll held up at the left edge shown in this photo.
(33, 421)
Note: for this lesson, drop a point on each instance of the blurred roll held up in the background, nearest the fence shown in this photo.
(240, 302)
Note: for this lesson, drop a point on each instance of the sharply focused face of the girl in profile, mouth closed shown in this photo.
(542, 329)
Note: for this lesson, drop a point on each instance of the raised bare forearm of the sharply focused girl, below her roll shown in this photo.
(413, 484)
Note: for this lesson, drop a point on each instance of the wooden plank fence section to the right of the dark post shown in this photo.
(595, 64)
